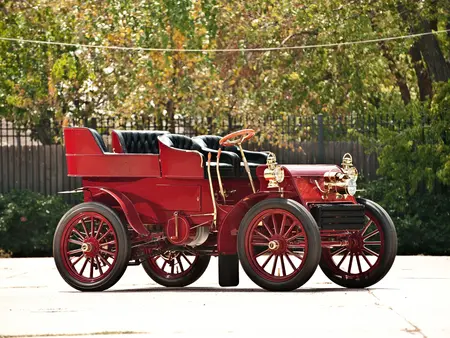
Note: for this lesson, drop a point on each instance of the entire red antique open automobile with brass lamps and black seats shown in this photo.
(171, 202)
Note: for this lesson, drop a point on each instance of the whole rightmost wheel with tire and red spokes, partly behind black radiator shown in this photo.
(369, 254)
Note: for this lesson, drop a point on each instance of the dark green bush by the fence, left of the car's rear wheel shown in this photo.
(28, 221)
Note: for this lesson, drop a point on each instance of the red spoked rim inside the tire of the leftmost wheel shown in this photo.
(89, 247)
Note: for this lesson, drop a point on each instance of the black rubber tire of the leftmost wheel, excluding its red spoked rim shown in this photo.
(122, 249)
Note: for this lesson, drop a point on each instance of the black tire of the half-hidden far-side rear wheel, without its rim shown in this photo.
(196, 270)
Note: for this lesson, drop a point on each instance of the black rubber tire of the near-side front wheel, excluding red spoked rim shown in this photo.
(311, 230)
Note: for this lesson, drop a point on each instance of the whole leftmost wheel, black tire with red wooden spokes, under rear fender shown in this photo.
(91, 247)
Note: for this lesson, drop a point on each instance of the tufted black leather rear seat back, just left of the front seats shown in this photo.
(139, 141)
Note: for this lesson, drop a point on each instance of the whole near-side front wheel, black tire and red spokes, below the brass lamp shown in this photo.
(279, 244)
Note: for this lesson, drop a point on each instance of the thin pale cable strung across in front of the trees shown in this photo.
(225, 50)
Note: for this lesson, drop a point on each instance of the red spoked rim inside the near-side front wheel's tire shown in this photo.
(276, 245)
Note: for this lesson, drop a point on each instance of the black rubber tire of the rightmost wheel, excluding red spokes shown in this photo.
(384, 261)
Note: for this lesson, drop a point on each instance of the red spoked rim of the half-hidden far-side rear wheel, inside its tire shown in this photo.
(172, 264)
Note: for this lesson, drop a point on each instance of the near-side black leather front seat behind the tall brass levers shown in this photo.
(227, 161)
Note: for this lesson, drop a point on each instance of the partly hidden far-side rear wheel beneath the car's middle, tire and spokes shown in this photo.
(175, 268)
